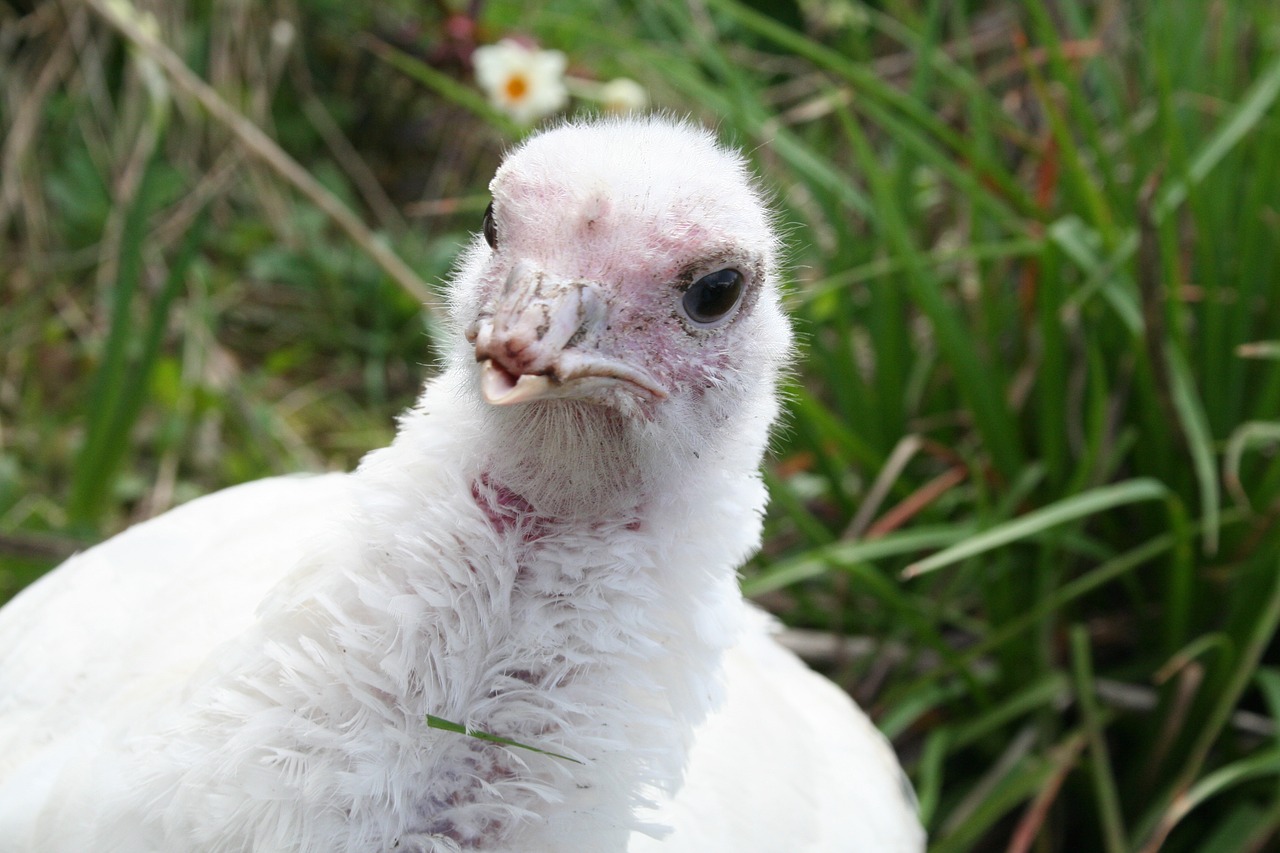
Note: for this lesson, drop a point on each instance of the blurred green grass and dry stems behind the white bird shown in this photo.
(1027, 494)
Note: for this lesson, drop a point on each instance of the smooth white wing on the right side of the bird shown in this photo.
(788, 763)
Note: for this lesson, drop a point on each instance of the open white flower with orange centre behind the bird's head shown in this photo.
(524, 83)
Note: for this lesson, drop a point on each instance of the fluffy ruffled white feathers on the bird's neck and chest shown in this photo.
(592, 636)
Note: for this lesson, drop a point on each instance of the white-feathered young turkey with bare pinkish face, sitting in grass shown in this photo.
(547, 554)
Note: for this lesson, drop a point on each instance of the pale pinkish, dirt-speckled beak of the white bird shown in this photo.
(540, 340)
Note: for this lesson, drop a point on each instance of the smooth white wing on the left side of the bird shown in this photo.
(118, 630)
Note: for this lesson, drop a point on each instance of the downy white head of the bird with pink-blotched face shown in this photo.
(619, 316)
